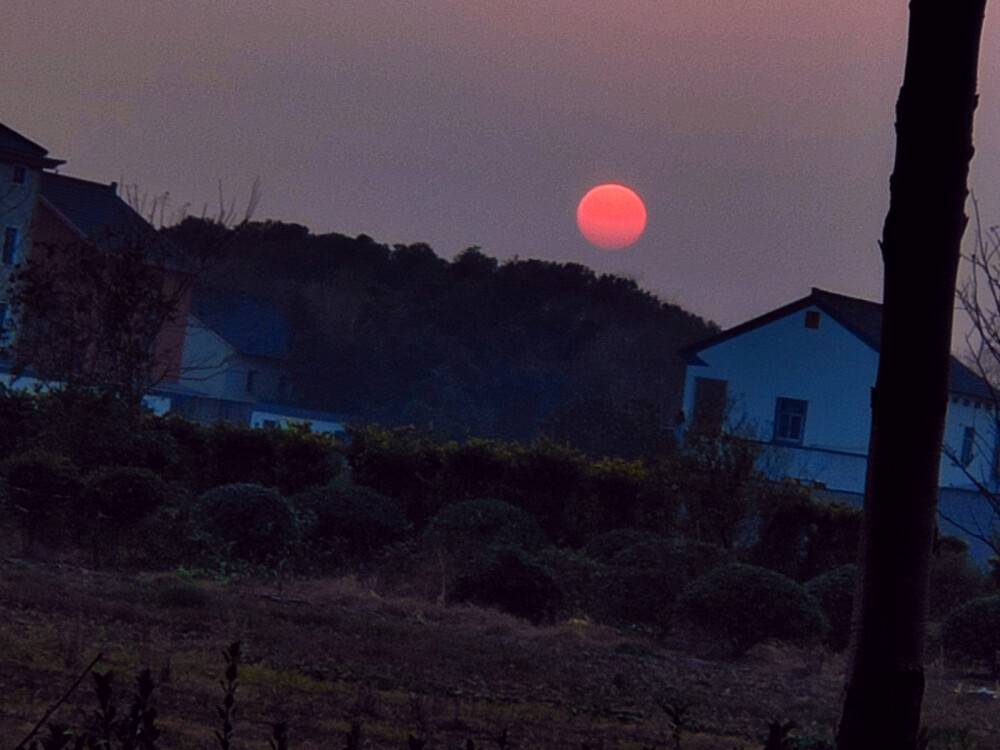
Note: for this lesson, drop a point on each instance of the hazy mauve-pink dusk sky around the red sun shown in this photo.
(758, 132)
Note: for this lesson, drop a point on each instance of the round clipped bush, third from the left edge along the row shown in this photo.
(258, 523)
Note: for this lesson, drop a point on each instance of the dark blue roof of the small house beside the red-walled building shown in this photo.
(253, 327)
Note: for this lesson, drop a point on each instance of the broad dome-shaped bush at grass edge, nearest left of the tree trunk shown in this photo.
(745, 605)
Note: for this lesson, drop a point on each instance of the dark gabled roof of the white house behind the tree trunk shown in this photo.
(861, 317)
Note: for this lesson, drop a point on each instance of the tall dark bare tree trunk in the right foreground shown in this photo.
(920, 250)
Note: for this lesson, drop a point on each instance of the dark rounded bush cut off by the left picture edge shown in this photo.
(42, 487)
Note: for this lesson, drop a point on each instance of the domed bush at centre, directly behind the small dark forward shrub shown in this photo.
(469, 527)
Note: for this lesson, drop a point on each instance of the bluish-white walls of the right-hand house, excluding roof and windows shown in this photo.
(833, 371)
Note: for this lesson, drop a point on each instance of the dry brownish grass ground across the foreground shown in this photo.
(322, 654)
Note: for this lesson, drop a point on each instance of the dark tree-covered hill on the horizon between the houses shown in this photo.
(467, 347)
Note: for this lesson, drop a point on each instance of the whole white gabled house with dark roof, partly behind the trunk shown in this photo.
(799, 379)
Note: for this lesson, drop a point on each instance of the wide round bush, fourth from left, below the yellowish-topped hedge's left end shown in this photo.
(356, 518)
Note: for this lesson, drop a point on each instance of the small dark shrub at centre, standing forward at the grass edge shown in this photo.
(508, 578)
